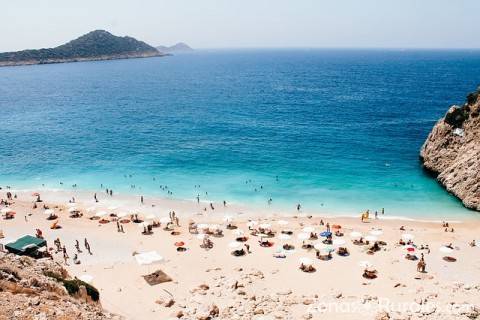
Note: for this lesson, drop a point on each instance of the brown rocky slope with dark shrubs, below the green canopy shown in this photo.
(41, 289)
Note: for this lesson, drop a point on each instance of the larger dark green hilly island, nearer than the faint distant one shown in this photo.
(93, 46)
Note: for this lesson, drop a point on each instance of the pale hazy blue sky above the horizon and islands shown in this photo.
(246, 23)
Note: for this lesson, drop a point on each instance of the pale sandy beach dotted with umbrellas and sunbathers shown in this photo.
(209, 284)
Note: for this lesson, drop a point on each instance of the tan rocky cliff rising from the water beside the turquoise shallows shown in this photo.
(452, 151)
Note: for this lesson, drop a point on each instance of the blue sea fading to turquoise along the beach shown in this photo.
(338, 131)
